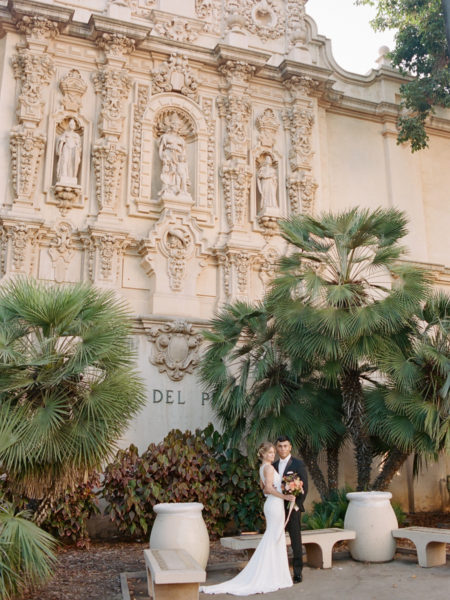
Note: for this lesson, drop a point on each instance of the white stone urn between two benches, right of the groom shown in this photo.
(372, 517)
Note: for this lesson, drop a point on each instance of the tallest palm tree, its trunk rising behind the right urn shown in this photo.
(338, 297)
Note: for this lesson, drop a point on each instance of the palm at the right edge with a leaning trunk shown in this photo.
(411, 412)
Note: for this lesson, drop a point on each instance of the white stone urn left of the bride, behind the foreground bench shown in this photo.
(181, 526)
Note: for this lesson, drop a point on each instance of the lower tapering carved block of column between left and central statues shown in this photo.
(109, 159)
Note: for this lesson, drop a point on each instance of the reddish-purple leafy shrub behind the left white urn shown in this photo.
(179, 469)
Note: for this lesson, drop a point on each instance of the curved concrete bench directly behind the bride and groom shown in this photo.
(318, 544)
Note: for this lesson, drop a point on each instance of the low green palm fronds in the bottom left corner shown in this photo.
(26, 553)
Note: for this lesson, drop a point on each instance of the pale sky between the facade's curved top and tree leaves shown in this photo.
(354, 43)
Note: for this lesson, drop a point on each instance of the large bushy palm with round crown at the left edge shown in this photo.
(68, 386)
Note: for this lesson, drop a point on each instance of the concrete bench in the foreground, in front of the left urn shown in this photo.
(172, 575)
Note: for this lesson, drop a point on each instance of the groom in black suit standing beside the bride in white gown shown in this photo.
(288, 465)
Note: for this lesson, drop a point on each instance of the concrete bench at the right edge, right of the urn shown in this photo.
(429, 542)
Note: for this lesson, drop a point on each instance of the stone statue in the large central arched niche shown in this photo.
(172, 152)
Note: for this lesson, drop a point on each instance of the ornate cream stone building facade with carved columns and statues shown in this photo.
(153, 151)
